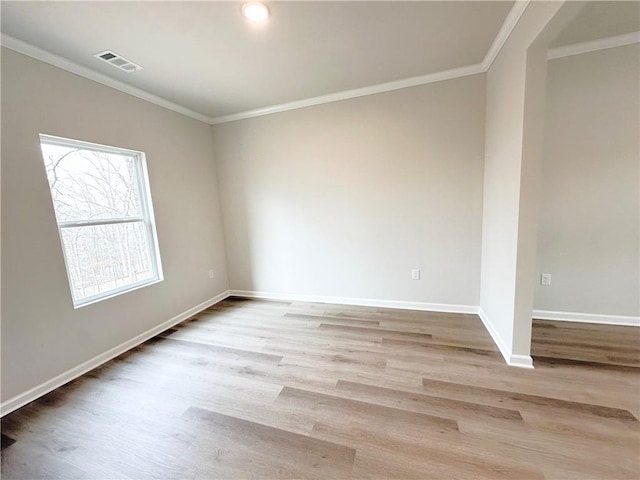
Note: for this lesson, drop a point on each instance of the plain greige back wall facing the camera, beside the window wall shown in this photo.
(344, 199)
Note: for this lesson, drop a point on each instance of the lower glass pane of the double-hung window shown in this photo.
(104, 258)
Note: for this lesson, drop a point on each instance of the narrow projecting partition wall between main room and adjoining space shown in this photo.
(514, 122)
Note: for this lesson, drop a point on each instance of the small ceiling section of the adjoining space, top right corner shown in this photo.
(601, 19)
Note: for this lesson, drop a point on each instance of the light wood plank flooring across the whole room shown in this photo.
(259, 389)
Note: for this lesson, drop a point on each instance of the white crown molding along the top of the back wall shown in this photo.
(358, 92)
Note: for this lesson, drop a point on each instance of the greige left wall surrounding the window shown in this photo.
(42, 334)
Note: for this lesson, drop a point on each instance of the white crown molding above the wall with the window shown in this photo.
(60, 62)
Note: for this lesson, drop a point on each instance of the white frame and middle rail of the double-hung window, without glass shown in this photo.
(147, 218)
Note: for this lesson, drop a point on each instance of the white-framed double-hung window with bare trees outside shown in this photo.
(105, 219)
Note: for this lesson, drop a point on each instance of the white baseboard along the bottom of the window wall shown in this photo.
(46, 387)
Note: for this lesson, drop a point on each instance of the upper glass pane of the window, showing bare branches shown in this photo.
(91, 185)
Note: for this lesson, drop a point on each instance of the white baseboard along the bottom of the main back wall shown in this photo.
(362, 302)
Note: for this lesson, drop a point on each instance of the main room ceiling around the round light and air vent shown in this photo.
(204, 56)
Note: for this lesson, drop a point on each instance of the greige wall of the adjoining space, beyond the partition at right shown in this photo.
(588, 237)
